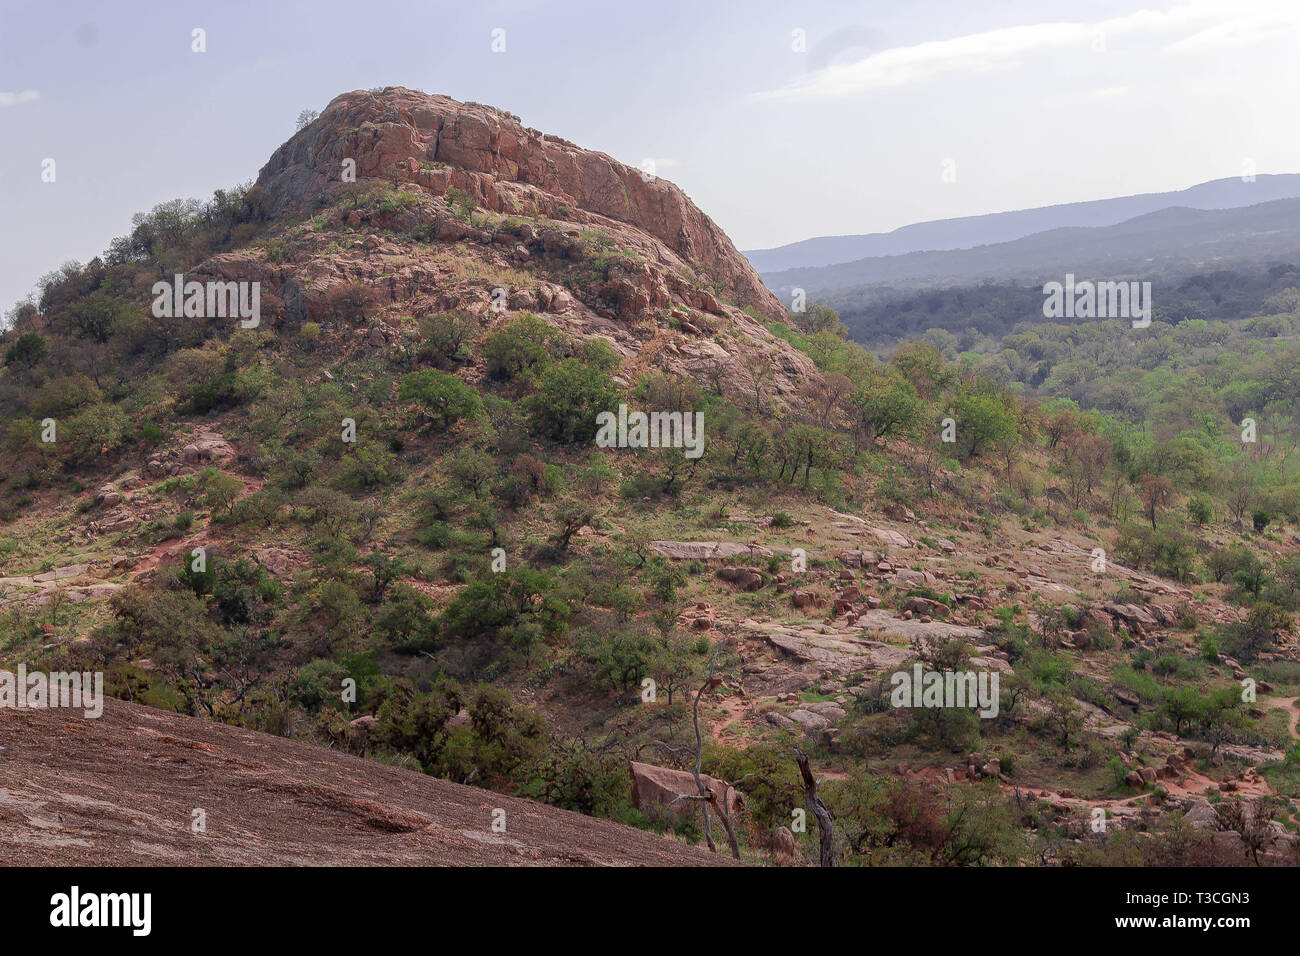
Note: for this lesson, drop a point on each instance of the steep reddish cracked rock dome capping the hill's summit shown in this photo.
(508, 167)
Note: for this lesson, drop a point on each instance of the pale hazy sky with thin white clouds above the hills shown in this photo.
(1028, 103)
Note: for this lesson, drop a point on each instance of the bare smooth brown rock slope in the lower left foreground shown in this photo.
(123, 790)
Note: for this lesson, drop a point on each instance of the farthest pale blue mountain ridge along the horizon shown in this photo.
(969, 232)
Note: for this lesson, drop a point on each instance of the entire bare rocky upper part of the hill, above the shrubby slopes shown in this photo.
(474, 202)
